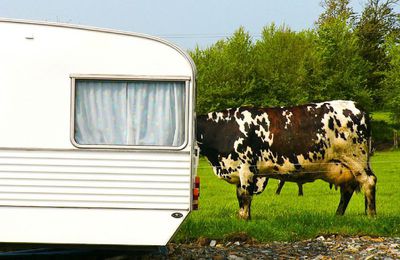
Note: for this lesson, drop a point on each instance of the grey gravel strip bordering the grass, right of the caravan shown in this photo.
(322, 247)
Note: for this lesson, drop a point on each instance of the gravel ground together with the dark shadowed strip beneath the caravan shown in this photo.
(240, 246)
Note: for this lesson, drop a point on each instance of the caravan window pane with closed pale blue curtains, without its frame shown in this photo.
(129, 113)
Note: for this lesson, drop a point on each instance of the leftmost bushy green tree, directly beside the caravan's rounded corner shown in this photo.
(225, 72)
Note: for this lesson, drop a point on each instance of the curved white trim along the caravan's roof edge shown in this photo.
(106, 30)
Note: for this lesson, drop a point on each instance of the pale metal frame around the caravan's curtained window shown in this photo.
(75, 77)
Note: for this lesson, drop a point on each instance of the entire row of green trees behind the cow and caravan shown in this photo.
(346, 56)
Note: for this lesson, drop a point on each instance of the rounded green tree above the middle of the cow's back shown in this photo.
(284, 63)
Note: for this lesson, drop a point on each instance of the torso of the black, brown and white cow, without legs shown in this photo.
(286, 142)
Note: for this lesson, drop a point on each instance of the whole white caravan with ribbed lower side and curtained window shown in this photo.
(97, 142)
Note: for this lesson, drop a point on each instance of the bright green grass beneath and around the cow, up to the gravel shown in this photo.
(288, 217)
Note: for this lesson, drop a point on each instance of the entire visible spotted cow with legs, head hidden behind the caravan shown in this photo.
(328, 141)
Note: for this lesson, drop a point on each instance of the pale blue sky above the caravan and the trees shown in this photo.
(185, 22)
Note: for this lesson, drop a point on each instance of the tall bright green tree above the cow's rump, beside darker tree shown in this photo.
(343, 71)
